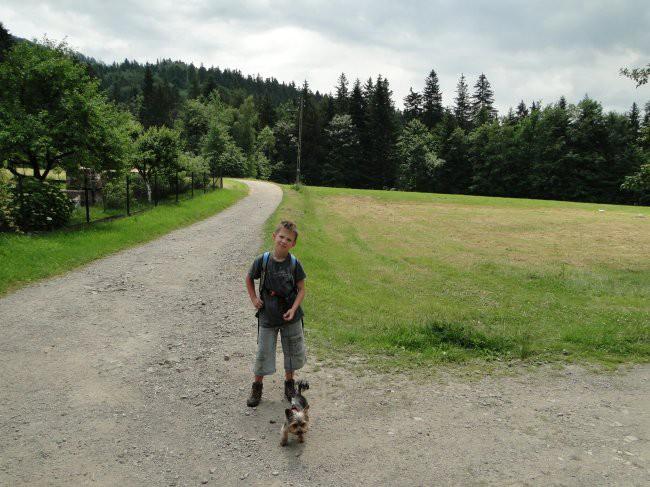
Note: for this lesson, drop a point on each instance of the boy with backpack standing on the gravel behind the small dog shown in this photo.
(281, 292)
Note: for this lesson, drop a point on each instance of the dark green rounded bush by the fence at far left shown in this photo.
(40, 205)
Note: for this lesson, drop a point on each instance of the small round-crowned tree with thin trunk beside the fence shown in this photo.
(157, 152)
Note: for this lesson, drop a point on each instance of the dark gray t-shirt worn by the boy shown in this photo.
(279, 280)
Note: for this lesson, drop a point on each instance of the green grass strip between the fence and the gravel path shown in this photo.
(28, 258)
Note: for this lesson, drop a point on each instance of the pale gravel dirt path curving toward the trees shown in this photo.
(134, 370)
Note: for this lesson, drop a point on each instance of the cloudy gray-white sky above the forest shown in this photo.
(531, 50)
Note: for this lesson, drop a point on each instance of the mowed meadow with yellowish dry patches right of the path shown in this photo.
(413, 278)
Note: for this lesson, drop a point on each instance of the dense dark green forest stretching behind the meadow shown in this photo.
(357, 137)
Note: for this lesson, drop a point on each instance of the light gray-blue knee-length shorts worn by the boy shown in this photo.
(293, 348)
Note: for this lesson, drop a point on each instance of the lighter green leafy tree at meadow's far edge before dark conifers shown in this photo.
(417, 158)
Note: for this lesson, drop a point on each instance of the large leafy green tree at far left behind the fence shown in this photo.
(52, 114)
